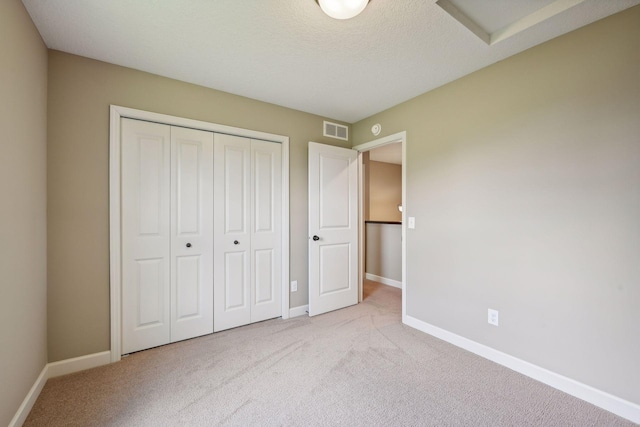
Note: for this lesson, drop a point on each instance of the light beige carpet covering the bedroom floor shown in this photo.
(352, 367)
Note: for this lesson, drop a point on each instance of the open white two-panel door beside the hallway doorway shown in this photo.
(333, 228)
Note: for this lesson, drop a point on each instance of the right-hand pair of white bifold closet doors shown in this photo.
(248, 231)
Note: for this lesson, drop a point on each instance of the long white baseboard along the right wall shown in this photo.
(606, 401)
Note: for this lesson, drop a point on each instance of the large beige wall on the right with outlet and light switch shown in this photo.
(524, 179)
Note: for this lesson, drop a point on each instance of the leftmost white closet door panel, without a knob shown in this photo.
(145, 235)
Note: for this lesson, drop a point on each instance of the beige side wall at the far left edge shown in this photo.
(23, 264)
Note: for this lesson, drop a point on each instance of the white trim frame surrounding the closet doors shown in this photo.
(115, 226)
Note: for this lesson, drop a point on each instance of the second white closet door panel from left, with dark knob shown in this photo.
(191, 233)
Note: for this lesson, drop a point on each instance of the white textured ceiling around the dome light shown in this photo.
(287, 52)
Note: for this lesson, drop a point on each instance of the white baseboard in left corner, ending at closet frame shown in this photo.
(57, 369)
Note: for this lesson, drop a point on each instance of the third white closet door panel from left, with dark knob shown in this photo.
(232, 231)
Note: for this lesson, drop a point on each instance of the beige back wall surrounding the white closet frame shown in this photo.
(80, 92)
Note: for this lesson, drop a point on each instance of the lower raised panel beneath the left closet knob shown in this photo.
(188, 292)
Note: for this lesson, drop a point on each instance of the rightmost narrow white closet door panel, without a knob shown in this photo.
(266, 234)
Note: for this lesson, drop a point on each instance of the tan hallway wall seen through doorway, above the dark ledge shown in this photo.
(385, 191)
